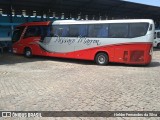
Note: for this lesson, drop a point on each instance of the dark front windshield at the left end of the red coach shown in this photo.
(17, 34)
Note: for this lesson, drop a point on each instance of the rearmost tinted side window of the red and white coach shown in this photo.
(138, 29)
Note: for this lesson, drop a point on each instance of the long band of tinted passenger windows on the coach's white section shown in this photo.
(112, 30)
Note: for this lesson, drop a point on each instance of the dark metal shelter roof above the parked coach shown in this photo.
(104, 8)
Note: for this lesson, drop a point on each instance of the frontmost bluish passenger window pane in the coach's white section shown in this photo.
(61, 30)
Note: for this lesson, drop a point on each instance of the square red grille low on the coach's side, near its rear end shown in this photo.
(137, 56)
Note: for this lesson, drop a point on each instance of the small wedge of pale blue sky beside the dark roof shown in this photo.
(148, 2)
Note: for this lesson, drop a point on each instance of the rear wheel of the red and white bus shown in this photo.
(102, 59)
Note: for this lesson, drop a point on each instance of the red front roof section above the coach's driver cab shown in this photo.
(36, 23)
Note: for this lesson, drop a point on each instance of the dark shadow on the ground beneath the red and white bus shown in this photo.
(9, 58)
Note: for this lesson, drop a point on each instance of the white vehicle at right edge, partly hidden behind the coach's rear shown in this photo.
(157, 39)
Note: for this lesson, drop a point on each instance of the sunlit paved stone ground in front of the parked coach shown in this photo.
(51, 84)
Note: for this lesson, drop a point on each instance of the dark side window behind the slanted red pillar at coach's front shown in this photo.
(32, 31)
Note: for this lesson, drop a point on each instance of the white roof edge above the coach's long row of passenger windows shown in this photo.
(59, 22)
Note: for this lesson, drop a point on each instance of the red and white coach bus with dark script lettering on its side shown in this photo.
(103, 41)
